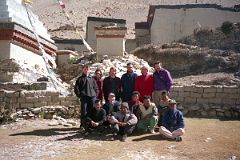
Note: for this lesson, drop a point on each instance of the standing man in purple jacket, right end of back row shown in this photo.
(163, 82)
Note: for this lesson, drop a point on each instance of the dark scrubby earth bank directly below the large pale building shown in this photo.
(183, 60)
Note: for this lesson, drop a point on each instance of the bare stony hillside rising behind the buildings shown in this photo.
(78, 10)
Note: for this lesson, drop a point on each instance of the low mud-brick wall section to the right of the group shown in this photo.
(208, 101)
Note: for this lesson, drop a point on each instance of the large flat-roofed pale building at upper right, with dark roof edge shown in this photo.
(168, 23)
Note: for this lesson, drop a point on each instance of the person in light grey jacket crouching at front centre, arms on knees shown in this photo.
(123, 122)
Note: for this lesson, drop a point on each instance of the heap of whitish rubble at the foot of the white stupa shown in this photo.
(16, 72)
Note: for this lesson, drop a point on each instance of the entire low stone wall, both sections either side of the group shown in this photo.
(195, 101)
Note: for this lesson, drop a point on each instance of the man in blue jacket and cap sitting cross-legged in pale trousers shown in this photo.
(172, 123)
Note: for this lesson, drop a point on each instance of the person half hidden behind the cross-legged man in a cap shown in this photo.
(162, 107)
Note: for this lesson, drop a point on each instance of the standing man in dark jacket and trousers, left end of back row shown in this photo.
(86, 89)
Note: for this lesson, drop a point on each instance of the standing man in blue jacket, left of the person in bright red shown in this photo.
(127, 82)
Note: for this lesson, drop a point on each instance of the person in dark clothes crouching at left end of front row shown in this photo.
(95, 119)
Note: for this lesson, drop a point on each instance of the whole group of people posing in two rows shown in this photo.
(132, 102)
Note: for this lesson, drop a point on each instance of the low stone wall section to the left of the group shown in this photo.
(41, 103)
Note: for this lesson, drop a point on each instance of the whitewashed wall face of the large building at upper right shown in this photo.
(172, 24)
